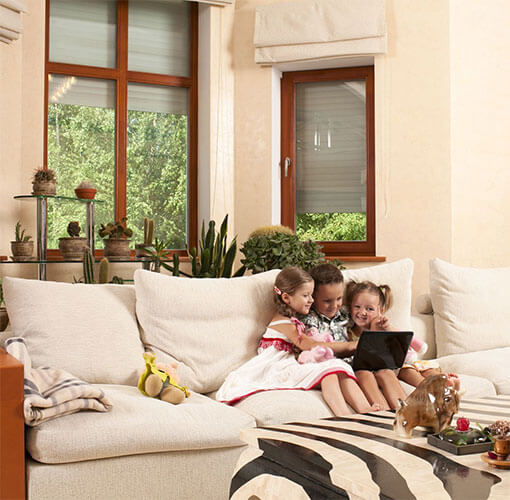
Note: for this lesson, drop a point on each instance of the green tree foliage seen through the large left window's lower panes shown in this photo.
(81, 146)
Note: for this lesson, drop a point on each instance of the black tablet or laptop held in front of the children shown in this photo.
(378, 350)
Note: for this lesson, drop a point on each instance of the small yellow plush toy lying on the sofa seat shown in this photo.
(160, 381)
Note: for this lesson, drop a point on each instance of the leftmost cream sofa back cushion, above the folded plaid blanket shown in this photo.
(87, 330)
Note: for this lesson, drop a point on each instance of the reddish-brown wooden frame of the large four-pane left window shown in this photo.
(122, 76)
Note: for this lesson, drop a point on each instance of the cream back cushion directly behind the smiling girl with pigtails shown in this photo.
(398, 275)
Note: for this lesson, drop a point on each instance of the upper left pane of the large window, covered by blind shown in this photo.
(83, 32)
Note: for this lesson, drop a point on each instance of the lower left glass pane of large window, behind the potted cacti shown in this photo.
(81, 146)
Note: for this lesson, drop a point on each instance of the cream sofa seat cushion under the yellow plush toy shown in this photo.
(137, 424)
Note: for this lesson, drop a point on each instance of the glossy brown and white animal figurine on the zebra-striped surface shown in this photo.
(432, 404)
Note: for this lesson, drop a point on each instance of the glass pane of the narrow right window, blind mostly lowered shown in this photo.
(331, 161)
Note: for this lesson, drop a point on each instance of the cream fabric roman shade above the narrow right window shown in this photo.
(319, 29)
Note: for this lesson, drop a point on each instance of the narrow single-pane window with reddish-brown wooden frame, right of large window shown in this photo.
(327, 159)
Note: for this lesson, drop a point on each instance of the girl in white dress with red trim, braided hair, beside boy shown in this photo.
(276, 368)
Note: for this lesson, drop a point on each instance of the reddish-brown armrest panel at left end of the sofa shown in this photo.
(12, 428)
